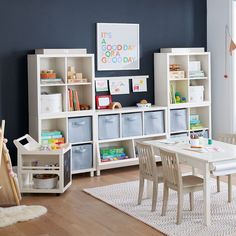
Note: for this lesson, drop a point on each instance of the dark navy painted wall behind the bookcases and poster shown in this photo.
(29, 24)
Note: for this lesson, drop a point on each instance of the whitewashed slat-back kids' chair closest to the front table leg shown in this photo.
(174, 180)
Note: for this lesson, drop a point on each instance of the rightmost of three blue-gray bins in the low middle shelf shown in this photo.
(154, 122)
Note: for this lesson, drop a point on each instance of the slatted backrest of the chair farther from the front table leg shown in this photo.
(147, 163)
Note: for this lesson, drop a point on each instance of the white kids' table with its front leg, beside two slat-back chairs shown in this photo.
(203, 161)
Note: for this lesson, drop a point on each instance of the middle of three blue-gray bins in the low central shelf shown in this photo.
(131, 124)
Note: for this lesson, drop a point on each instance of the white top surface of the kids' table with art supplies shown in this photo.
(225, 151)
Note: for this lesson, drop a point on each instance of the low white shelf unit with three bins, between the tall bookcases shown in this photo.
(115, 121)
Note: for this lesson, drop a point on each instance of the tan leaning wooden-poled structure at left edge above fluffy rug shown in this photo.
(9, 187)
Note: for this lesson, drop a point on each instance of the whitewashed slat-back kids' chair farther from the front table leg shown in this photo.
(148, 170)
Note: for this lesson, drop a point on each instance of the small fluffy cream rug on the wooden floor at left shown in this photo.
(12, 215)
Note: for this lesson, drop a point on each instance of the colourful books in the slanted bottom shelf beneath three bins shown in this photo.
(113, 154)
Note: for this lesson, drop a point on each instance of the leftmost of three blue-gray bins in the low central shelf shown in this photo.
(108, 127)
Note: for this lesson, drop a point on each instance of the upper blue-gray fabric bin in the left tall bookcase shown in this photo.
(80, 129)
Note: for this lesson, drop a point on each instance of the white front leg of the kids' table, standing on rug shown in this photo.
(206, 196)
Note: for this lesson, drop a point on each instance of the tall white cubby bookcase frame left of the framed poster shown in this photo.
(59, 63)
